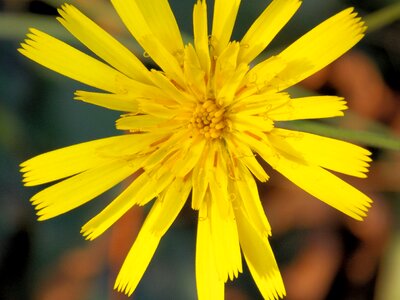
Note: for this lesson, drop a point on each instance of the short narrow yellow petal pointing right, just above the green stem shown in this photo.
(308, 108)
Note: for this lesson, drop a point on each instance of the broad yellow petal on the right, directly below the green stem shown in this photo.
(332, 154)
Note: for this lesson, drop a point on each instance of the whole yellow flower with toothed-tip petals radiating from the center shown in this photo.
(197, 128)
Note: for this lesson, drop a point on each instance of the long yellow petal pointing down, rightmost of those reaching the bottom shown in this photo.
(260, 258)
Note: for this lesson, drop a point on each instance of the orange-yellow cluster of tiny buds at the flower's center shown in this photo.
(208, 119)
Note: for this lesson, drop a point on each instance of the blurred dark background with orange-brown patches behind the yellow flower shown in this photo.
(322, 254)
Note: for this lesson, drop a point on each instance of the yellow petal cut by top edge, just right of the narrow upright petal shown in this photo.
(224, 18)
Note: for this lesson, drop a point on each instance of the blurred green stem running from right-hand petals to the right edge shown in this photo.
(367, 138)
